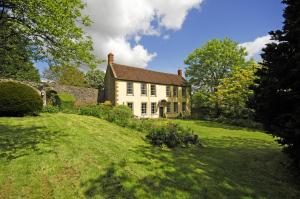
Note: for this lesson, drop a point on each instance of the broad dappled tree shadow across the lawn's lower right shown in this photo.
(197, 172)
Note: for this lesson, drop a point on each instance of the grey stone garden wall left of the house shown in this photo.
(84, 96)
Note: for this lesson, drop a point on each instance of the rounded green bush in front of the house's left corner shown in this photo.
(120, 115)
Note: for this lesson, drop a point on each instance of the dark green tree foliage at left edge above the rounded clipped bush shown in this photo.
(15, 55)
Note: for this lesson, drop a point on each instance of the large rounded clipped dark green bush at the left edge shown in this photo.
(18, 99)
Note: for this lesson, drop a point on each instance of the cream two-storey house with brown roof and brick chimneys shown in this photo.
(149, 94)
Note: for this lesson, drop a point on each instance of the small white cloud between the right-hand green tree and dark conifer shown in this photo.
(254, 47)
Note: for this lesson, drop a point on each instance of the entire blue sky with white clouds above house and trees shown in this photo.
(159, 34)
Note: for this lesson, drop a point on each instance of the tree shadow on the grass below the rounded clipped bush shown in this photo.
(17, 141)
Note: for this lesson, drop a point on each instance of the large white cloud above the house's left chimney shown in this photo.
(116, 22)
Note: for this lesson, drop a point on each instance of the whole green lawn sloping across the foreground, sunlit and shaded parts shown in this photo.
(71, 156)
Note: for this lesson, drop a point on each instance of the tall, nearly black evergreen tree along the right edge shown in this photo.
(277, 96)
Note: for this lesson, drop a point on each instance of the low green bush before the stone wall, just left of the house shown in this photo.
(100, 111)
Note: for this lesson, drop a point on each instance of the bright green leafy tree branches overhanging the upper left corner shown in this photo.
(53, 29)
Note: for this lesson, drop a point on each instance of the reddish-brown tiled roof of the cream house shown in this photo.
(129, 73)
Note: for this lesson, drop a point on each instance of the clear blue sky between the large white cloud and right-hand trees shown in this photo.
(240, 20)
